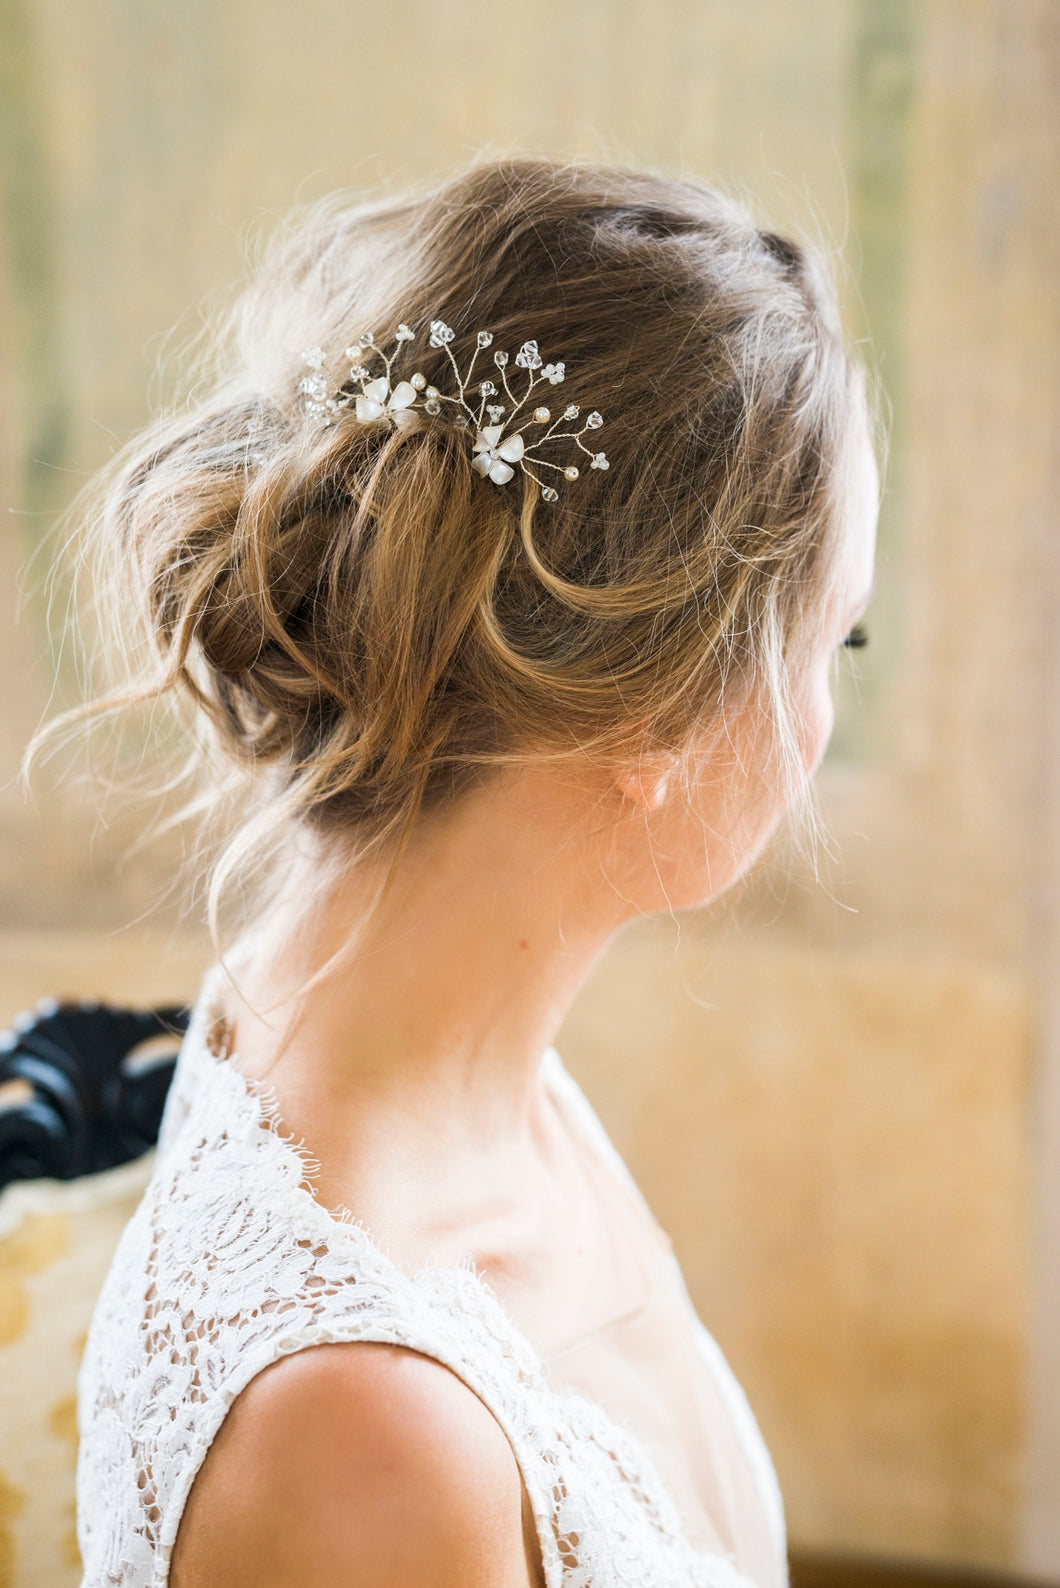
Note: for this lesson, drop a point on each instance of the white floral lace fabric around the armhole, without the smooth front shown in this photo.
(229, 1265)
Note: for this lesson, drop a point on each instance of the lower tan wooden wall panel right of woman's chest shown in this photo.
(837, 1147)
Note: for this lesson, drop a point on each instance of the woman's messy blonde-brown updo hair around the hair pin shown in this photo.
(363, 623)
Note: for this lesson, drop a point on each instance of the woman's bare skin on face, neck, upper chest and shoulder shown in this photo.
(437, 1127)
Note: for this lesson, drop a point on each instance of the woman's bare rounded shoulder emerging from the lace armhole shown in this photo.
(366, 1465)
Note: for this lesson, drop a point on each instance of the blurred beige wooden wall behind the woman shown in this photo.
(843, 1098)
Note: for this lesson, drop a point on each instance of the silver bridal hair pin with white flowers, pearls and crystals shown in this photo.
(501, 445)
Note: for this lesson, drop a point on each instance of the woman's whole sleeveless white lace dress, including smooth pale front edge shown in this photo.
(231, 1263)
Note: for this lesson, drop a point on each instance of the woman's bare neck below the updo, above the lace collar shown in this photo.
(436, 1020)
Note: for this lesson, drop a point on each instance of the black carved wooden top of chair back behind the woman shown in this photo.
(83, 1087)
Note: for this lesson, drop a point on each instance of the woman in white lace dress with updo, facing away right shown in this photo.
(501, 653)
